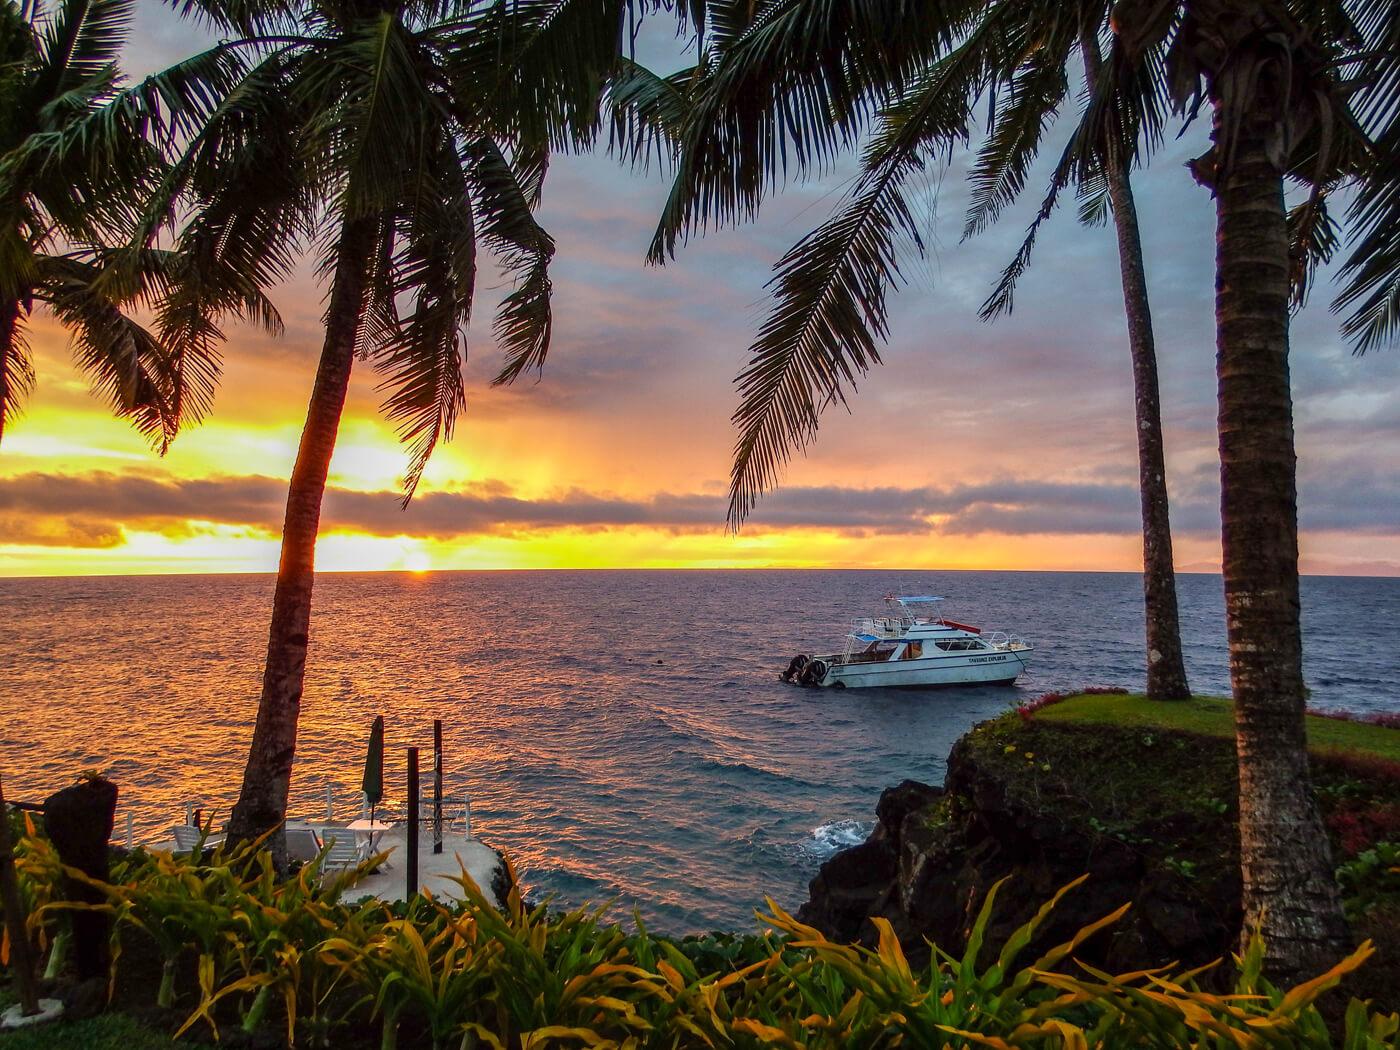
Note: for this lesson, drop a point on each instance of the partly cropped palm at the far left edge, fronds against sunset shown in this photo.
(79, 157)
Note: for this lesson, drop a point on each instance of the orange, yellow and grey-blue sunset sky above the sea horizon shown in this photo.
(975, 446)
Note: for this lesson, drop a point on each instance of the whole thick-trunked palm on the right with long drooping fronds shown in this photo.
(799, 83)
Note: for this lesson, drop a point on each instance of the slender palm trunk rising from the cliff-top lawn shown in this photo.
(1165, 666)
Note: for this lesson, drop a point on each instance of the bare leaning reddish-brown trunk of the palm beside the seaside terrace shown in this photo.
(262, 801)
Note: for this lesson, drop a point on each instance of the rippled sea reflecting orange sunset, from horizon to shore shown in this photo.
(622, 734)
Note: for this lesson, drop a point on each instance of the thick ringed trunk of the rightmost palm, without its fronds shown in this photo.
(1290, 887)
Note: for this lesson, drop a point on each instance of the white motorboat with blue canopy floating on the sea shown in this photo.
(913, 646)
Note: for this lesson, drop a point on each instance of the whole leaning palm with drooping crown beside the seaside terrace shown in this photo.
(397, 139)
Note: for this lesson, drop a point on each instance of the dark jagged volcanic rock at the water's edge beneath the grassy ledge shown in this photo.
(937, 853)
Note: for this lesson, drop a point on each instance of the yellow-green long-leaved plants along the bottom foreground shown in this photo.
(449, 975)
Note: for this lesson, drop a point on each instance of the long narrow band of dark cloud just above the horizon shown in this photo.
(90, 510)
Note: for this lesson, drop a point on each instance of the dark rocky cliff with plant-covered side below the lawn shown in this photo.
(1149, 817)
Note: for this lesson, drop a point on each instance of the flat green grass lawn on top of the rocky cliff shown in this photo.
(1212, 717)
